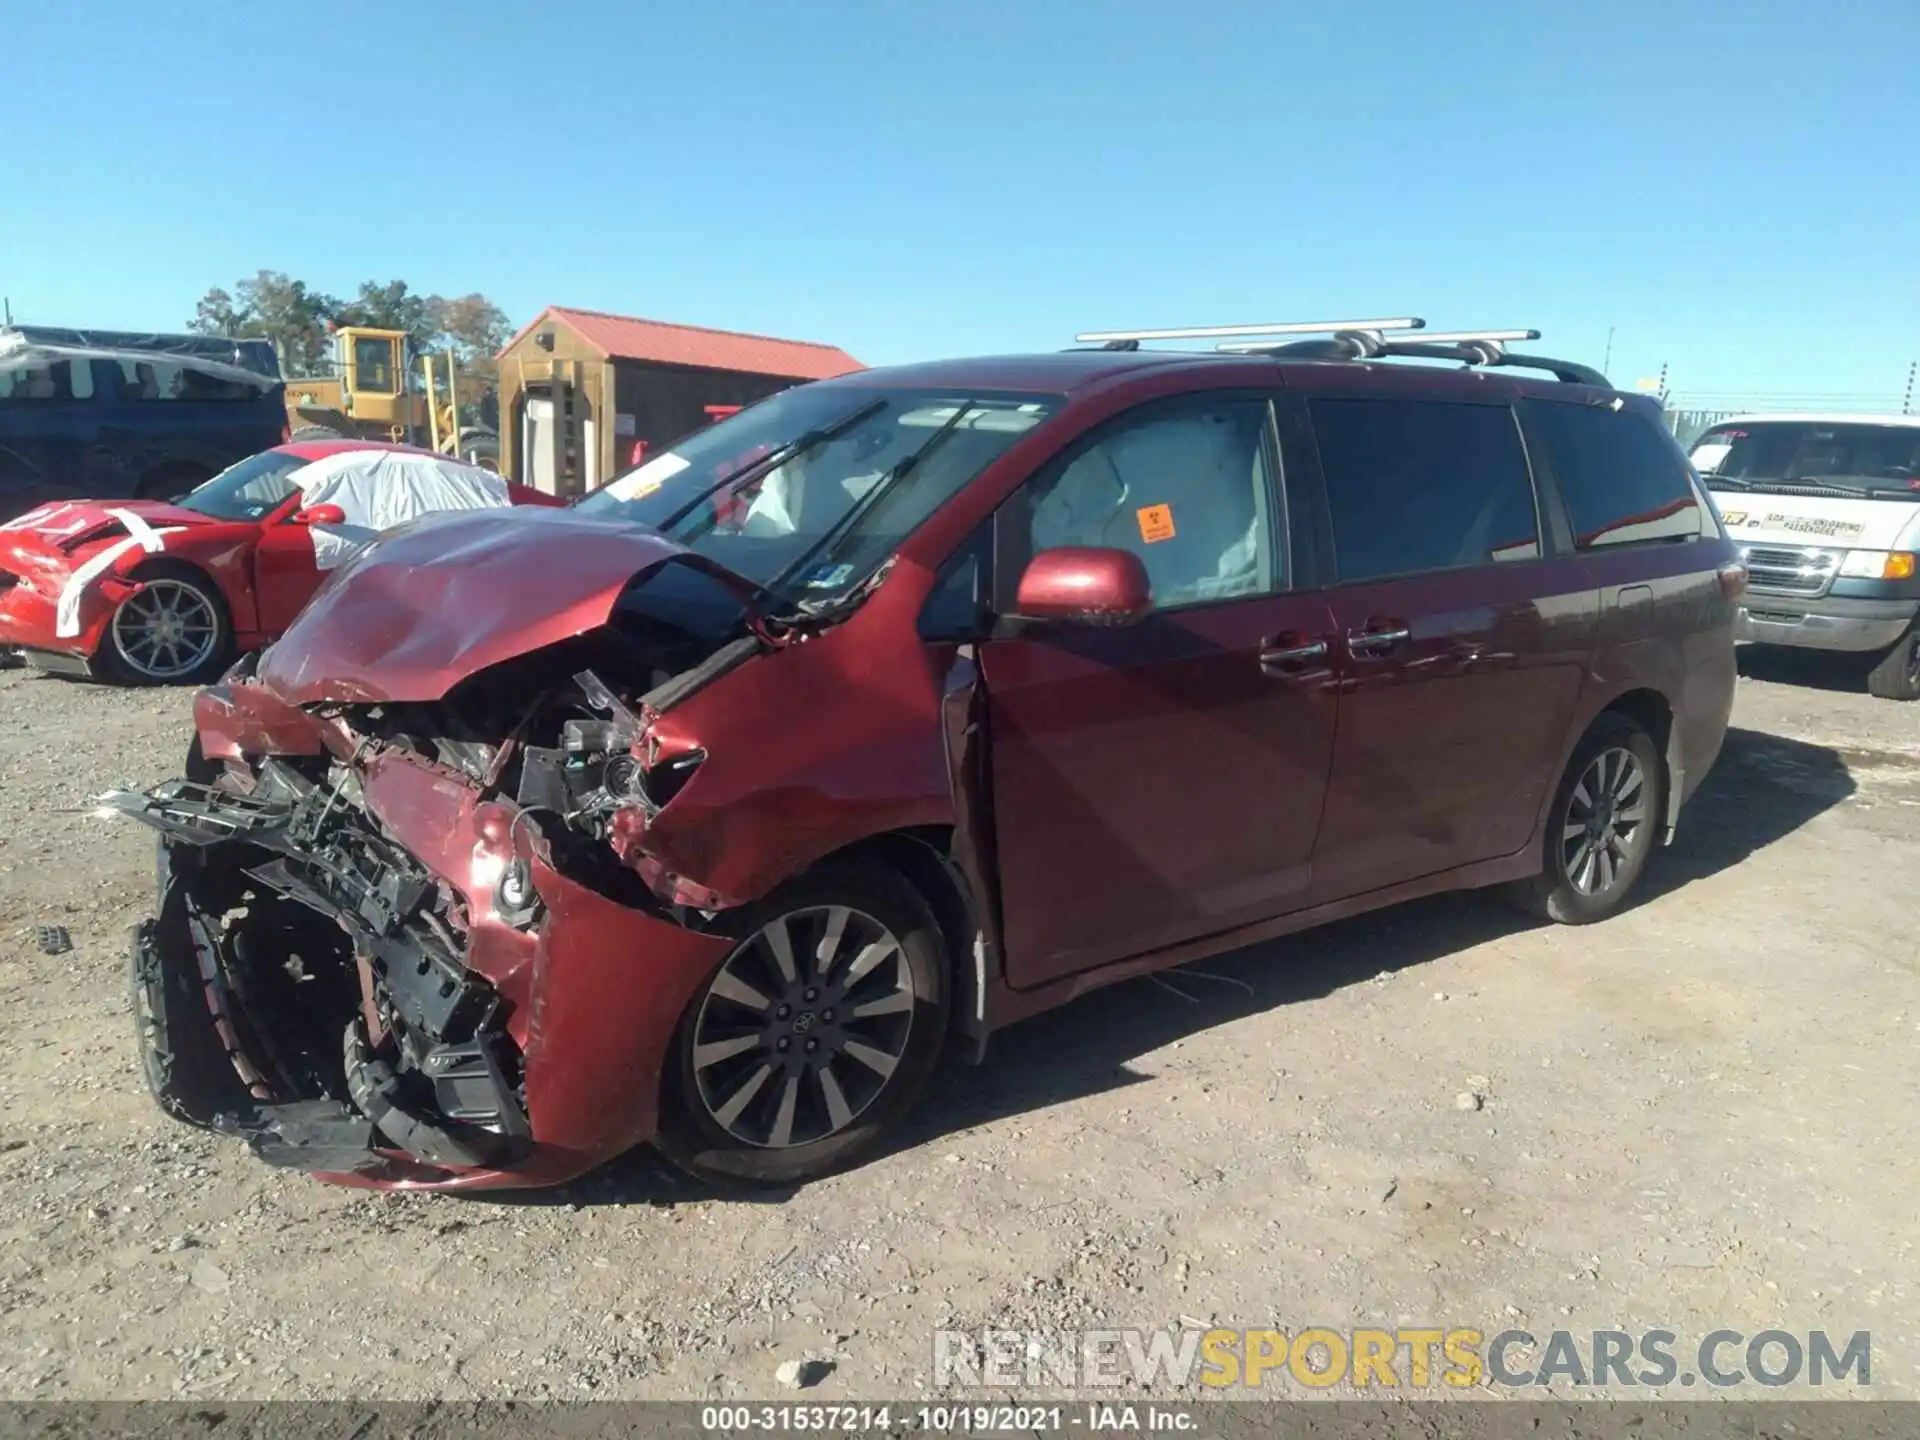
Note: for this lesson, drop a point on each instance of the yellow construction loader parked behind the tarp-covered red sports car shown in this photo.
(368, 396)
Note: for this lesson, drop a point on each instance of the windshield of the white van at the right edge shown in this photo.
(1806, 456)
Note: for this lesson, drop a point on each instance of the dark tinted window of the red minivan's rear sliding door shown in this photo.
(1418, 487)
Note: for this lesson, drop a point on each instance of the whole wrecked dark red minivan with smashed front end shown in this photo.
(901, 708)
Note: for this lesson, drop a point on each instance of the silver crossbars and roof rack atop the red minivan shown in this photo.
(1364, 341)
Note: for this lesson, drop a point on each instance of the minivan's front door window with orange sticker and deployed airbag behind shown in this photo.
(1186, 487)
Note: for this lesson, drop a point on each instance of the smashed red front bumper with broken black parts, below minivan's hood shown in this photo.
(485, 1034)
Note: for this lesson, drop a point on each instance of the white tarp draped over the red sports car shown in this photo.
(383, 489)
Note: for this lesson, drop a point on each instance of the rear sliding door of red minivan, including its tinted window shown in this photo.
(1460, 640)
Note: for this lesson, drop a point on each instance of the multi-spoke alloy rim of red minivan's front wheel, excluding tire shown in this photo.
(804, 1028)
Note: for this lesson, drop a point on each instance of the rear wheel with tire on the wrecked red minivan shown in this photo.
(1575, 886)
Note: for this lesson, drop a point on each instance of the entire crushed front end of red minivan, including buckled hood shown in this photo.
(450, 861)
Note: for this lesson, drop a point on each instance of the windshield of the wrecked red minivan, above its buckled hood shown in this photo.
(807, 492)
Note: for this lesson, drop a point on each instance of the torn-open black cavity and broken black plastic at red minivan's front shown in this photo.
(283, 913)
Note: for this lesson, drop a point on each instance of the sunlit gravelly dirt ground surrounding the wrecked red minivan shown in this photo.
(1698, 1116)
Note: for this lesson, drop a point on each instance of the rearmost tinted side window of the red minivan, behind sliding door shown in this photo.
(1623, 477)
